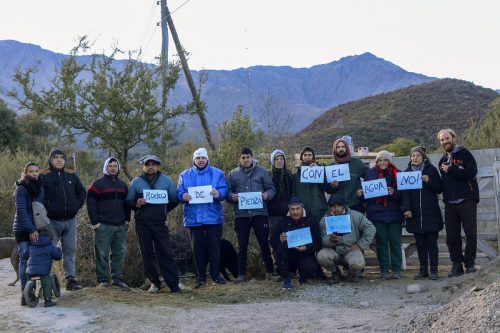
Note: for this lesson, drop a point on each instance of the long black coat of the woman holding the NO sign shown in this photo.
(423, 203)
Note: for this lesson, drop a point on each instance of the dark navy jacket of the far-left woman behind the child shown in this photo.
(23, 220)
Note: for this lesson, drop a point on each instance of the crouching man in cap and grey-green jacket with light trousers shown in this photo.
(345, 249)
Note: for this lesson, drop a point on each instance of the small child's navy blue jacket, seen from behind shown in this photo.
(40, 255)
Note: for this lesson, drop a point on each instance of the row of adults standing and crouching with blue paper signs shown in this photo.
(286, 204)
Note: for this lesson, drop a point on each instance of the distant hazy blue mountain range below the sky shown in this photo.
(304, 93)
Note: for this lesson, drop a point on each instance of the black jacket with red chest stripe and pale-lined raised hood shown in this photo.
(106, 198)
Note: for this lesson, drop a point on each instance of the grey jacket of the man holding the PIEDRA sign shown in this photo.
(253, 179)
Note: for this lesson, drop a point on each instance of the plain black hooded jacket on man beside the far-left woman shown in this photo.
(64, 192)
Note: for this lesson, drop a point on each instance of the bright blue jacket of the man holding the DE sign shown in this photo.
(207, 213)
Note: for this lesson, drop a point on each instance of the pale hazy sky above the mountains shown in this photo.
(442, 38)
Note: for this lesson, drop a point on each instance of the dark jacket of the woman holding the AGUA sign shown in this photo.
(376, 212)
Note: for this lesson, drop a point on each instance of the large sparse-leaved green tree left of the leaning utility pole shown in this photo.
(115, 104)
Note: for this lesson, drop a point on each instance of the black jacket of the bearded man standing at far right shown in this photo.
(460, 181)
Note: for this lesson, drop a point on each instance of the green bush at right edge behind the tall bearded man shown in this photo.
(487, 134)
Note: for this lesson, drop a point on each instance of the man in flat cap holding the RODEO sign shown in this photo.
(152, 195)
